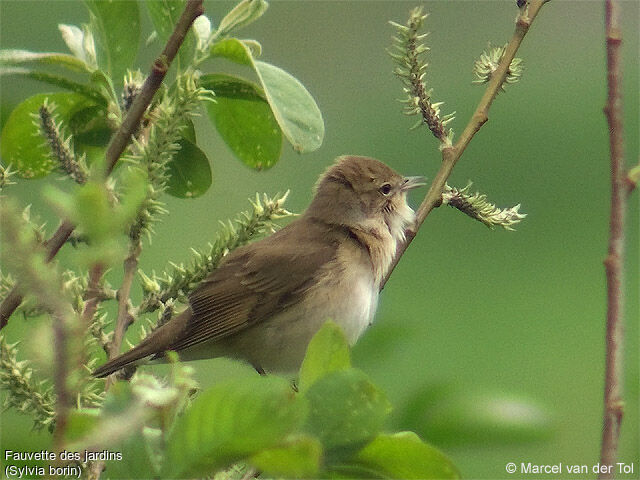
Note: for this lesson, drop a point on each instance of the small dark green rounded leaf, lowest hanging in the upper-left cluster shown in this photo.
(189, 170)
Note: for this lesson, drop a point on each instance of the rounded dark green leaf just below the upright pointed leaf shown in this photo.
(346, 409)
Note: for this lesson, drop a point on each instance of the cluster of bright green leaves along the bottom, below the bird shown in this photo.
(329, 426)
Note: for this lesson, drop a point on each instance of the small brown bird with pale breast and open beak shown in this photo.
(267, 299)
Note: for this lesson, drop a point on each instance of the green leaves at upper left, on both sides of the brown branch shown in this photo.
(251, 119)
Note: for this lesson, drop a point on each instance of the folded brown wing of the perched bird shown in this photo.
(258, 281)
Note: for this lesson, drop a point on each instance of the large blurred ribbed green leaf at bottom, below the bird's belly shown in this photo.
(232, 421)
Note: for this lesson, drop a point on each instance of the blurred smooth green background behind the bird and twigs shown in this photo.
(488, 343)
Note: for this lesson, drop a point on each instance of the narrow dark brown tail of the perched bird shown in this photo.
(156, 343)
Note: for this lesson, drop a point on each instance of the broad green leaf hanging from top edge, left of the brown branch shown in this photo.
(116, 29)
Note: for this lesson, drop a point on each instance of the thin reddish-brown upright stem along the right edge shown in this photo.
(613, 404)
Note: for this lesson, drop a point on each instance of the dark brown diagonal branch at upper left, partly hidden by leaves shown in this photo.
(122, 137)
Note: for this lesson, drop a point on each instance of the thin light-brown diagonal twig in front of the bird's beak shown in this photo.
(451, 155)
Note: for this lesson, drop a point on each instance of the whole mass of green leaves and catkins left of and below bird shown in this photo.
(334, 422)
